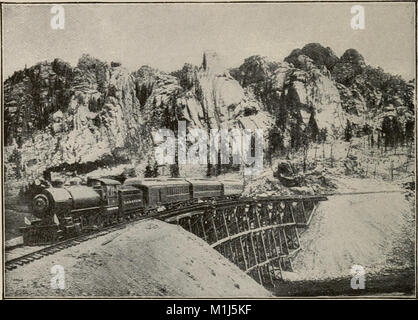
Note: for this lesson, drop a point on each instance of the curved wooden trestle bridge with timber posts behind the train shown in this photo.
(259, 235)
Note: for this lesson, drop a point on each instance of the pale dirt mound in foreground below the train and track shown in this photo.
(149, 258)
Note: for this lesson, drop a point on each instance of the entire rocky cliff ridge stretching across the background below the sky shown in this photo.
(58, 117)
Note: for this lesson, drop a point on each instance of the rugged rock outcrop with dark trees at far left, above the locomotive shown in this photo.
(94, 117)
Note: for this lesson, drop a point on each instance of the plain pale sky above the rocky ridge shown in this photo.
(166, 36)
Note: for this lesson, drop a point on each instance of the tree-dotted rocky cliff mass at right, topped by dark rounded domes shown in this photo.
(315, 94)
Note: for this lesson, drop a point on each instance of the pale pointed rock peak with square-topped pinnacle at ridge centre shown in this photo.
(214, 99)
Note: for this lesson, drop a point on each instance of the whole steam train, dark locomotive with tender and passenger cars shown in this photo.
(67, 211)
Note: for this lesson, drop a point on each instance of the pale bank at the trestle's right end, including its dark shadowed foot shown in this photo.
(375, 231)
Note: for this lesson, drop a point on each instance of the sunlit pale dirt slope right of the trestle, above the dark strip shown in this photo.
(376, 231)
